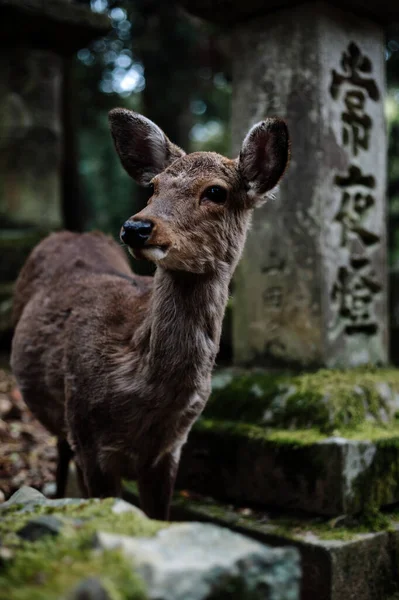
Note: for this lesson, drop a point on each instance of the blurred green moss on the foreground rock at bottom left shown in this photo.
(50, 567)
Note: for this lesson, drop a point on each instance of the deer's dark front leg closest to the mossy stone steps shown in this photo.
(156, 483)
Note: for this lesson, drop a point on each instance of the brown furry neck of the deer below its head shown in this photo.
(180, 336)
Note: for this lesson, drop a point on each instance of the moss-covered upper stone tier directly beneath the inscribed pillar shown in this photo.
(325, 400)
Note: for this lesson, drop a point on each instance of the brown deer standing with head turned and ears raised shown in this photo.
(118, 366)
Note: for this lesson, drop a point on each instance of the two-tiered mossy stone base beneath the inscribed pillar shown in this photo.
(325, 442)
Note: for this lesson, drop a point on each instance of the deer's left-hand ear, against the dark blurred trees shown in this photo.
(143, 148)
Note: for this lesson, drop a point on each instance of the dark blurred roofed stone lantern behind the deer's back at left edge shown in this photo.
(36, 37)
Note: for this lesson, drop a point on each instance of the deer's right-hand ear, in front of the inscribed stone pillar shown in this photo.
(264, 157)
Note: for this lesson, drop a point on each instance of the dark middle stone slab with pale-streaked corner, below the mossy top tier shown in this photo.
(332, 476)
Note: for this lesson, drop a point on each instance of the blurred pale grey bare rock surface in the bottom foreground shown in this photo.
(193, 561)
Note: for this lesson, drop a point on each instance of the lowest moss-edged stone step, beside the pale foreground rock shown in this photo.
(340, 558)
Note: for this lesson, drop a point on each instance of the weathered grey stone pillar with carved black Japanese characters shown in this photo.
(311, 287)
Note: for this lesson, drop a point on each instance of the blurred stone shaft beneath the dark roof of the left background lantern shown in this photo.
(30, 137)
